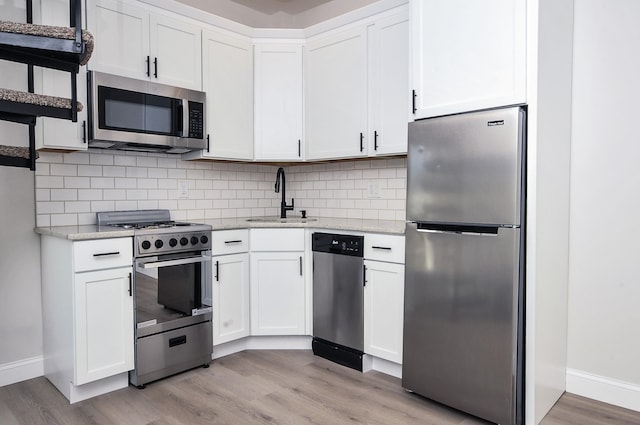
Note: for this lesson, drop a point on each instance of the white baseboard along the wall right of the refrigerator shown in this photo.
(612, 391)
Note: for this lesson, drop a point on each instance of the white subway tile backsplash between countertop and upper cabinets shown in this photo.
(71, 188)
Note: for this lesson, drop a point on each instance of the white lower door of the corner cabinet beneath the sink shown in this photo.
(277, 293)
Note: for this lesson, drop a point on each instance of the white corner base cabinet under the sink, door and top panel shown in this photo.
(277, 282)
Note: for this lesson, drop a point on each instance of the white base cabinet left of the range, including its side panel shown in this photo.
(87, 303)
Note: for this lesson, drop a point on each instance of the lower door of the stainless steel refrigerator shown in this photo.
(461, 326)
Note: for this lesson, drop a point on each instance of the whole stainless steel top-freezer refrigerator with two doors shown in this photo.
(464, 279)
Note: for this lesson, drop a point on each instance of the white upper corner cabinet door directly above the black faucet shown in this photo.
(278, 102)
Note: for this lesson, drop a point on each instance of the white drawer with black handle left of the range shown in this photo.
(102, 254)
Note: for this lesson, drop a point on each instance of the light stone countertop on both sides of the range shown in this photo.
(88, 232)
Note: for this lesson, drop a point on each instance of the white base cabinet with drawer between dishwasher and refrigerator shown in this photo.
(384, 296)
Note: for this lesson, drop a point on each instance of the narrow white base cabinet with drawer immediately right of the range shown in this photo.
(230, 285)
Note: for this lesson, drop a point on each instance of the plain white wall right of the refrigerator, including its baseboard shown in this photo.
(604, 309)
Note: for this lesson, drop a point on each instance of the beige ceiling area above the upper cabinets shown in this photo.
(277, 13)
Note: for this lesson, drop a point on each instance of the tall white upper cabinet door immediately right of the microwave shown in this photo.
(228, 81)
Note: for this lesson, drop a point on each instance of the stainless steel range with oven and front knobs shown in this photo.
(172, 290)
